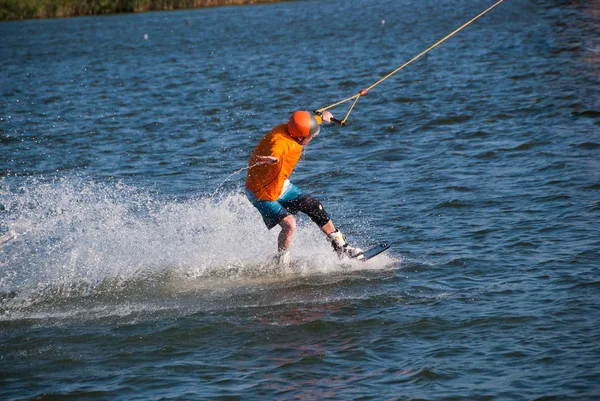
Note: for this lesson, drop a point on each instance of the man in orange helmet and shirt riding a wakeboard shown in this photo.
(275, 197)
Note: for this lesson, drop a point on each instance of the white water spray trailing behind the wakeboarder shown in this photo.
(72, 237)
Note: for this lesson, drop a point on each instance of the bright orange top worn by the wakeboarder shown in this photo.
(266, 180)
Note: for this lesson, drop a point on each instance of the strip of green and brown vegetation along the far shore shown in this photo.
(29, 9)
